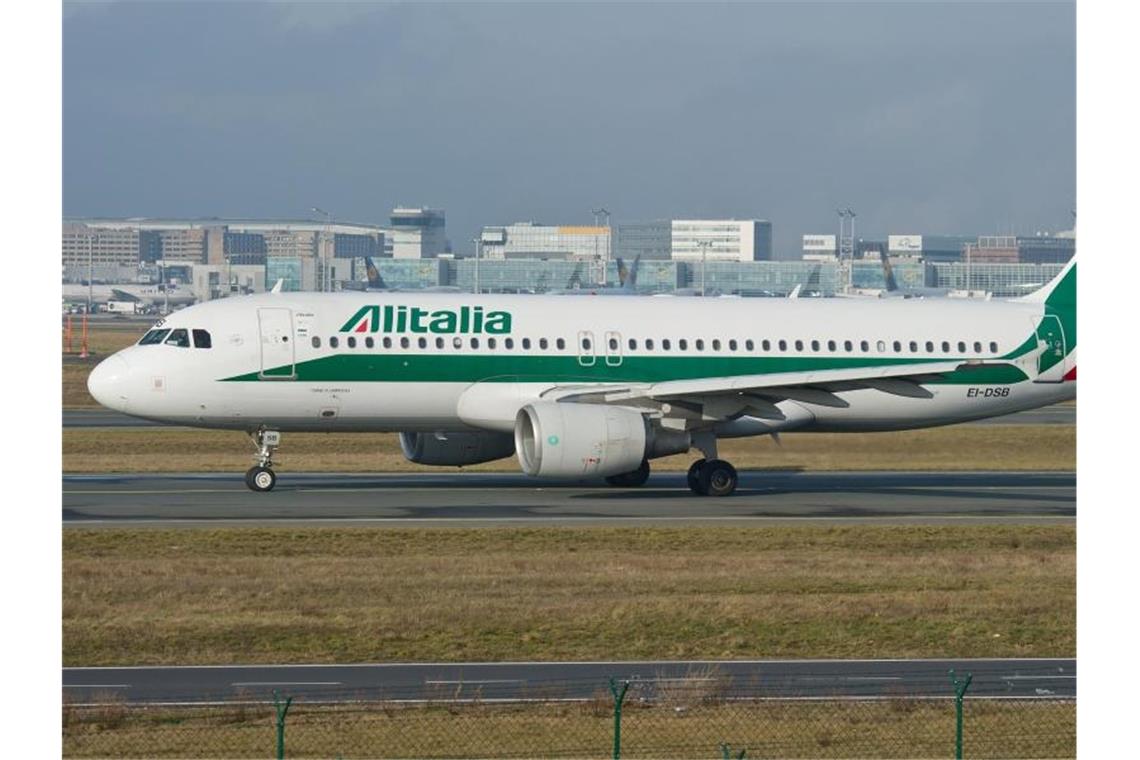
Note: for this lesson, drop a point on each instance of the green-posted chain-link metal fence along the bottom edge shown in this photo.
(706, 716)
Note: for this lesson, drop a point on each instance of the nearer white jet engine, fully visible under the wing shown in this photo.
(568, 440)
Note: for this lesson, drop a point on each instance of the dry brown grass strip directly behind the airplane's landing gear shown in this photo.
(962, 448)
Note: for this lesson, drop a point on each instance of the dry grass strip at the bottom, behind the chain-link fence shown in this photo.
(897, 729)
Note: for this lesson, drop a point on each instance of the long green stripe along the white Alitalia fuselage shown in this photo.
(492, 369)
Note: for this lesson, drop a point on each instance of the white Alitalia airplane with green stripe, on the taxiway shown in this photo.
(596, 390)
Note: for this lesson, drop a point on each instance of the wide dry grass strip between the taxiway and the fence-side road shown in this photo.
(365, 595)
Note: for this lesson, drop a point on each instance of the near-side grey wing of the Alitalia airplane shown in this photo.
(758, 395)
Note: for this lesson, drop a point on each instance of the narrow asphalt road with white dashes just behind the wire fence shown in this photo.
(576, 681)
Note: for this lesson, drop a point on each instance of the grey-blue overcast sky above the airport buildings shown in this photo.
(924, 118)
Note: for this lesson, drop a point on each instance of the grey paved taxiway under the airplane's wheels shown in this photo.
(491, 500)
